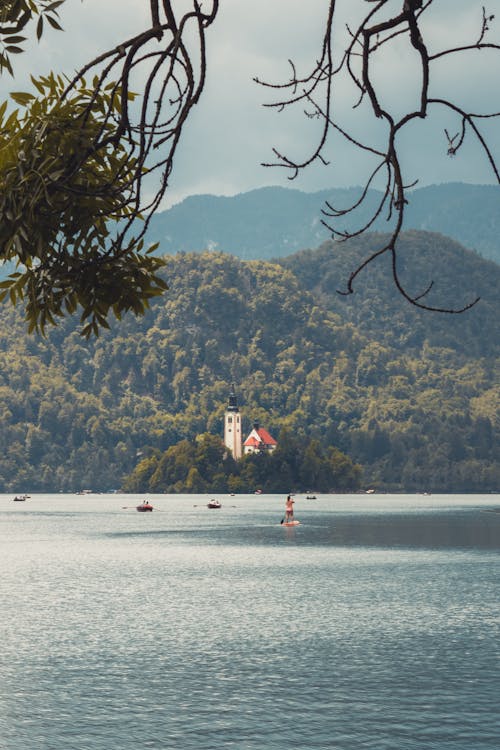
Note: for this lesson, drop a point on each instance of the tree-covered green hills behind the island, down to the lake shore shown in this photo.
(413, 397)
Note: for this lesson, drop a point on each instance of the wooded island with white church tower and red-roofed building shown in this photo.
(230, 463)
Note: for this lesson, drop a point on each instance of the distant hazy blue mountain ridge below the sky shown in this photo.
(274, 222)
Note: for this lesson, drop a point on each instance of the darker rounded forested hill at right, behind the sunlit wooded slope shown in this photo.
(456, 276)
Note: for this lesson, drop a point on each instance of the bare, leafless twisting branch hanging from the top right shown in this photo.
(378, 29)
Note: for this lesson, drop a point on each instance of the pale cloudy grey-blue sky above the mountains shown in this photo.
(231, 133)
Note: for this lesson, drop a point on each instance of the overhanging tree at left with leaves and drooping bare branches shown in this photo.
(74, 159)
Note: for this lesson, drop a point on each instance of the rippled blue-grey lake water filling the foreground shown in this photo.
(374, 624)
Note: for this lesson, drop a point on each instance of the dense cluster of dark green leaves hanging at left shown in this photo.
(57, 196)
